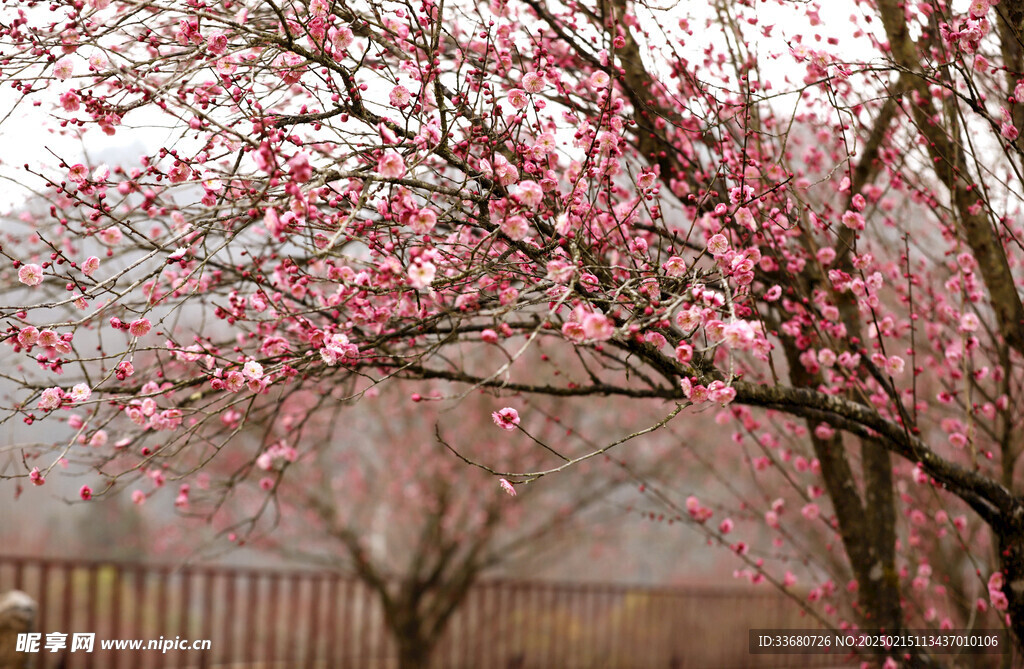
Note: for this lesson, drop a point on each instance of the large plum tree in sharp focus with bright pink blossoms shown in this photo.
(698, 207)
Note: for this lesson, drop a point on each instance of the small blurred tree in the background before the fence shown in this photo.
(385, 505)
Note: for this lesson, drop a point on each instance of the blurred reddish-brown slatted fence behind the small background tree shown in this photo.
(265, 619)
